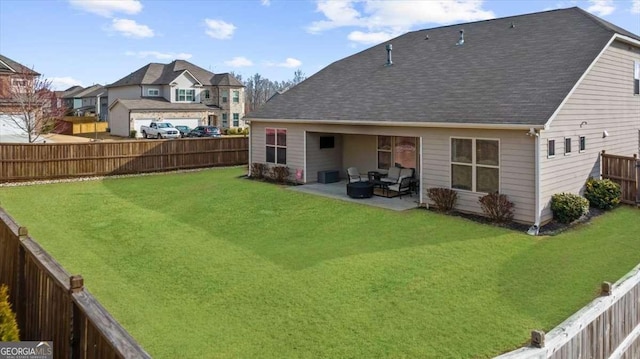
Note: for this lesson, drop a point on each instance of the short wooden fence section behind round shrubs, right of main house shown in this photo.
(624, 171)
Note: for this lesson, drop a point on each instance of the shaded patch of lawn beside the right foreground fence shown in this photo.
(547, 281)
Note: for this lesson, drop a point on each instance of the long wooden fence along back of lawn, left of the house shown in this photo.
(28, 162)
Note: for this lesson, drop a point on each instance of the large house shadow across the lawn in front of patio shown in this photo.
(293, 230)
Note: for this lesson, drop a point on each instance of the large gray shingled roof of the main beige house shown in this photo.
(501, 75)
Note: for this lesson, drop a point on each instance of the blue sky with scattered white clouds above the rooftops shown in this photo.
(100, 41)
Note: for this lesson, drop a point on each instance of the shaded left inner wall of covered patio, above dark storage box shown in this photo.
(322, 159)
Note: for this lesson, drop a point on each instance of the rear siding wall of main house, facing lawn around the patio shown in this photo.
(359, 149)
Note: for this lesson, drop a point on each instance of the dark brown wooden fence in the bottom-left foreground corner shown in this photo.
(52, 305)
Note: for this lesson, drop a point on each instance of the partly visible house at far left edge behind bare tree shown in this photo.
(11, 75)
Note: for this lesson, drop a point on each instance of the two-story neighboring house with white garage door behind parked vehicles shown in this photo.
(180, 92)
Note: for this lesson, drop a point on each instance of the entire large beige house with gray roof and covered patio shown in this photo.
(523, 106)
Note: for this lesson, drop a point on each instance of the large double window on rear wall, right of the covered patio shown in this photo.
(475, 164)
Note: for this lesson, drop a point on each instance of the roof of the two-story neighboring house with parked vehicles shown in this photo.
(164, 74)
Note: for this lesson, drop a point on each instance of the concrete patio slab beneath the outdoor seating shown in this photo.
(338, 190)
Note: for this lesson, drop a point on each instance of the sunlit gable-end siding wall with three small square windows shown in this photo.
(603, 101)
